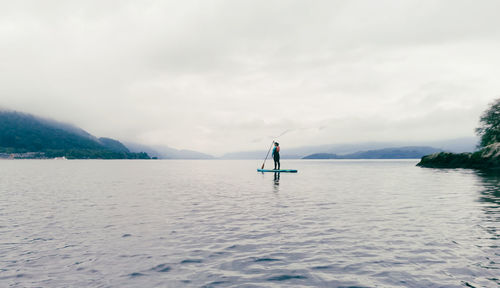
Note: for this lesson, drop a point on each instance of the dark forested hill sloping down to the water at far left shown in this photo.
(21, 133)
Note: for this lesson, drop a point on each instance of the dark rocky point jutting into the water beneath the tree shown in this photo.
(487, 158)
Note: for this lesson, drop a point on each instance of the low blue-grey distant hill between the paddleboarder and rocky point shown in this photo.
(415, 152)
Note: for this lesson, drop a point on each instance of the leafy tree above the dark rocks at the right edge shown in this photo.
(489, 129)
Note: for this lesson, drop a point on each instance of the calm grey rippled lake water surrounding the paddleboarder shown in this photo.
(221, 224)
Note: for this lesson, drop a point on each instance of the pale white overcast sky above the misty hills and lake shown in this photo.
(221, 76)
